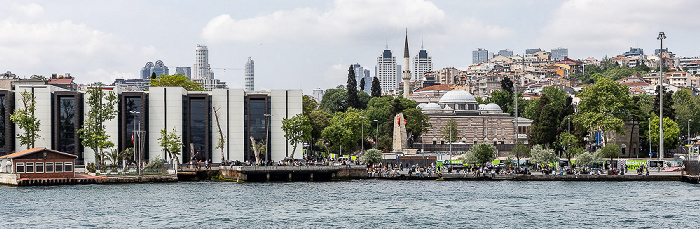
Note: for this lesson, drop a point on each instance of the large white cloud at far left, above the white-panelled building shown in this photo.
(42, 46)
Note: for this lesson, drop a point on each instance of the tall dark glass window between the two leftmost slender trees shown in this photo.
(66, 124)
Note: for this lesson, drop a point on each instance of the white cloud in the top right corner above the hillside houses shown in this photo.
(594, 27)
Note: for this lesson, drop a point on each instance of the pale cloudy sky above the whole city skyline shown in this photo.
(311, 43)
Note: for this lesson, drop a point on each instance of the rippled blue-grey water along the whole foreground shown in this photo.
(355, 204)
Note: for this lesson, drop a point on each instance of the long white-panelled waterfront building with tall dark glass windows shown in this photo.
(191, 114)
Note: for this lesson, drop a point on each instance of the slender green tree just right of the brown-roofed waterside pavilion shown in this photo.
(102, 108)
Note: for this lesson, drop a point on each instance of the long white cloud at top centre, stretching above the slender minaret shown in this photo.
(346, 20)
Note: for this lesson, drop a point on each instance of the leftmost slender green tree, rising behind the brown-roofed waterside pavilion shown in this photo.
(26, 120)
